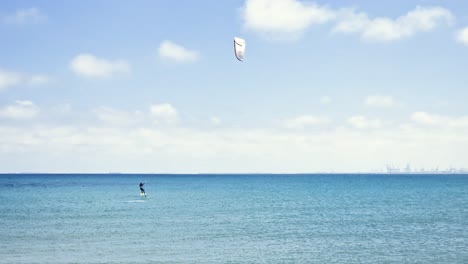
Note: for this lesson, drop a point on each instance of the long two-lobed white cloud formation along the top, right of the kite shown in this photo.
(291, 18)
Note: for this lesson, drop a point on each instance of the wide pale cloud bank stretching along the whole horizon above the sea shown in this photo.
(50, 148)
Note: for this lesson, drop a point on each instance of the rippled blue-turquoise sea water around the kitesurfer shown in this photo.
(233, 219)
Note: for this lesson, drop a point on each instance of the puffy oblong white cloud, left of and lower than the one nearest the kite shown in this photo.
(89, 66)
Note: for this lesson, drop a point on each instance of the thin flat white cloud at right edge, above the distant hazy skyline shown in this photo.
(428, 119)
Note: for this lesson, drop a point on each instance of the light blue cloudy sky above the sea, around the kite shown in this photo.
(154, 86)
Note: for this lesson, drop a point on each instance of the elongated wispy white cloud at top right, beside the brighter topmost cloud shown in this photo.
(422, 19)
